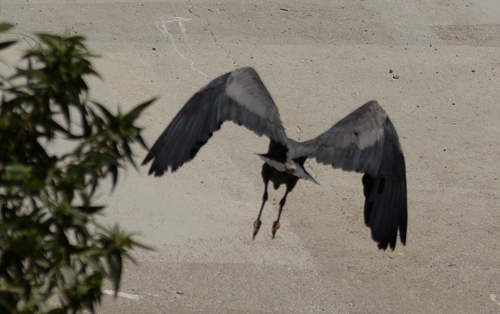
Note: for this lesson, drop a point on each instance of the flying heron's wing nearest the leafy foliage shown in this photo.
(239, 96)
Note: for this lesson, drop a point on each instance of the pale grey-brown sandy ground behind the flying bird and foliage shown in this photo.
(320, 60)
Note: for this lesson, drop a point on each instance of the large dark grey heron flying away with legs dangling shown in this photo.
(364, 141)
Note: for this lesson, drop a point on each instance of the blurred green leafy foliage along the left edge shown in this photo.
(54, 257)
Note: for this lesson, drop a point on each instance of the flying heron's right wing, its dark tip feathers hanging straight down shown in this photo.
(366, 141)
